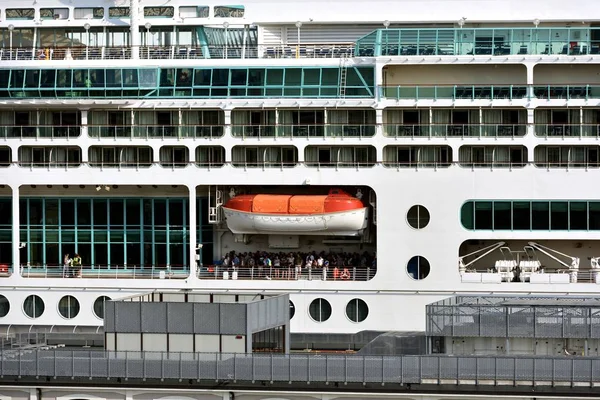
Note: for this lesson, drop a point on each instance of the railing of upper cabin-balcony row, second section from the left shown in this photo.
(155, 131)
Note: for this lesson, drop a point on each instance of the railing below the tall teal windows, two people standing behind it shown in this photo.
(106, 272)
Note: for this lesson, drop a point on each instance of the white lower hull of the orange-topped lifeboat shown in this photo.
(343, 223)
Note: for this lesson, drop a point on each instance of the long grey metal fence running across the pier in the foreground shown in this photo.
(67, 364)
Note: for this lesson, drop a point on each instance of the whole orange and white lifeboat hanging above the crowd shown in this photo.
(337, 214)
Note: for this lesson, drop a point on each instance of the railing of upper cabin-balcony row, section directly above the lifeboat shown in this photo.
(304, 131)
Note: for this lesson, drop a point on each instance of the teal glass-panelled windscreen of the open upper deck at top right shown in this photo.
(479, 41)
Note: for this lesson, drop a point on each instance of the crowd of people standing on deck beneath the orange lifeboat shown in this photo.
(293, 265)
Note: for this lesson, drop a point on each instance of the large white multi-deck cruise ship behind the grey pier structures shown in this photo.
(369, 158)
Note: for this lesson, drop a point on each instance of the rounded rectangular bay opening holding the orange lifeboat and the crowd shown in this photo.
(291, 233)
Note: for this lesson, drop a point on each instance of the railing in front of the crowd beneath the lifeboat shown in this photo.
(287, 274)
